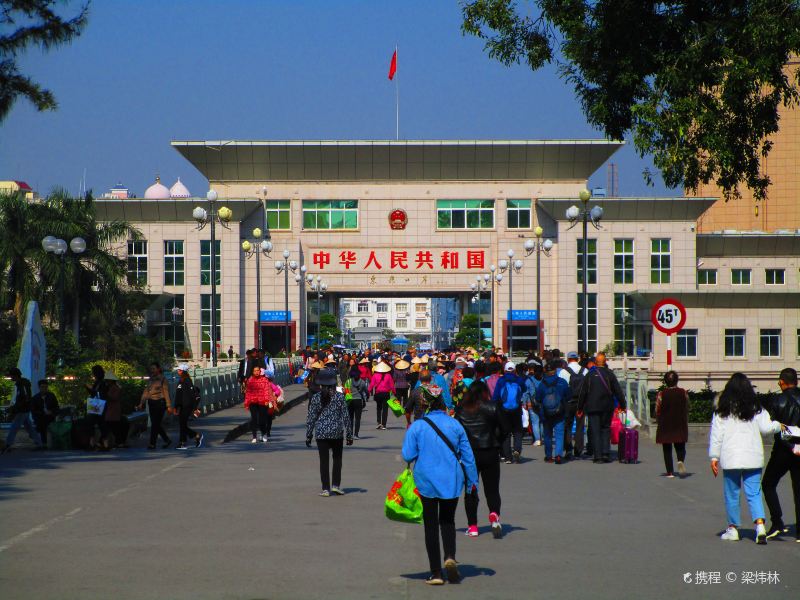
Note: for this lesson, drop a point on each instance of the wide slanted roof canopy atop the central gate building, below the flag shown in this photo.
(407, 160)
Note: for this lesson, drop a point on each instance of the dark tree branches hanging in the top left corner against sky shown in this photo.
(26, 23)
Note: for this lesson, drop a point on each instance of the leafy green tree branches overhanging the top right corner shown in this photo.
(696, 83)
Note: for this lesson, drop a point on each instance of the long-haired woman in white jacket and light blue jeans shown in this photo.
(736, 446)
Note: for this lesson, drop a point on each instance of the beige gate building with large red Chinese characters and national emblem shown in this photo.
(406, 219)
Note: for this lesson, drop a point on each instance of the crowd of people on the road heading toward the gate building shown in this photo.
(466, 413)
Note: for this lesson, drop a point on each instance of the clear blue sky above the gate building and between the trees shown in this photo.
(145, 72)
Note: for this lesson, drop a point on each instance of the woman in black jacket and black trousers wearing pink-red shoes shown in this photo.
(478, 415)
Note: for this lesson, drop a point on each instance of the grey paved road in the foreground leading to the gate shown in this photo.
(237, 522)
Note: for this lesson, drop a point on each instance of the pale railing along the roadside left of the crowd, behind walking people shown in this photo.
(219, 387)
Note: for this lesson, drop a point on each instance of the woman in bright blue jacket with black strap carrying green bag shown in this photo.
(440, 477)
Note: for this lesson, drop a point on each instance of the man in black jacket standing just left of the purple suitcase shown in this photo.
(600, 388)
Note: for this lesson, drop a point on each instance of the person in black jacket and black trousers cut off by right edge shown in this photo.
(785, 409)
